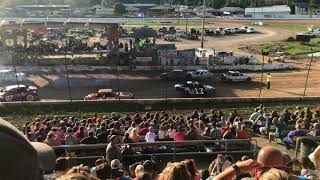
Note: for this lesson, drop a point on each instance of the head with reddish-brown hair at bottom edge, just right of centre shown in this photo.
(175, 171)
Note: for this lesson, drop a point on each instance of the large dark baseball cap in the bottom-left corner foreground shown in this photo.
(20, 158)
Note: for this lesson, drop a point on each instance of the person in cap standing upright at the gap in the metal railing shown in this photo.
(113, 151)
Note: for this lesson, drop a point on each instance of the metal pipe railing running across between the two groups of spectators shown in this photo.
(176, 147)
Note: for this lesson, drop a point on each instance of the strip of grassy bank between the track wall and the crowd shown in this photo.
(19, 114)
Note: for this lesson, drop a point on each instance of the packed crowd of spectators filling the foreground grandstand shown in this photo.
(116, 130)
